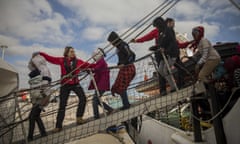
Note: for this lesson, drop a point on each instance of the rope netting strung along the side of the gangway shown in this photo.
(143, 94)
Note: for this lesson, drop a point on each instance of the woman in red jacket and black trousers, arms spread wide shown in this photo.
(68, 63)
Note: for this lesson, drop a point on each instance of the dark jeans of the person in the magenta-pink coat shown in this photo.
(96, 102)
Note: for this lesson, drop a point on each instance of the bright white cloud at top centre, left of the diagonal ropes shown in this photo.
(111, 12)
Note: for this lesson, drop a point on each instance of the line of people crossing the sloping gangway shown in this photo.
(166, 51)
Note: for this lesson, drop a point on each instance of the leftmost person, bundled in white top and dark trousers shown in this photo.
(40, 76)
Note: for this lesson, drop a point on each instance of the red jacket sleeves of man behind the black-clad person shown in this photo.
(154, 35)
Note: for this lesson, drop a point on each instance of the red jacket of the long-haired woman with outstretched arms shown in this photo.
(60, 61)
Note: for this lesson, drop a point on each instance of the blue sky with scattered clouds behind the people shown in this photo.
(28, 26)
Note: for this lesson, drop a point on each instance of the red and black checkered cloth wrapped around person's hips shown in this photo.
(125, 76)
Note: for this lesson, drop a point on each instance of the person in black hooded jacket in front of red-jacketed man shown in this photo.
(167, 45)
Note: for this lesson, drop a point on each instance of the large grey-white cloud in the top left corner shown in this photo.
(33, 20)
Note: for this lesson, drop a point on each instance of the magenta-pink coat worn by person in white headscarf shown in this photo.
(101, 76)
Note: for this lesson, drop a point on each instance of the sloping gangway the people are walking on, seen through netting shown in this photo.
(73, 132)
